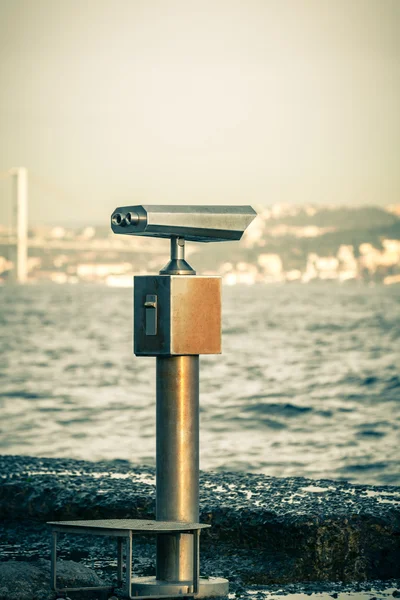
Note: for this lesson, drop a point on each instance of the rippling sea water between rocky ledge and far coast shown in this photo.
(308, 382)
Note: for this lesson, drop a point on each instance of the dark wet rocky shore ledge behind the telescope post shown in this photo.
(265, 530)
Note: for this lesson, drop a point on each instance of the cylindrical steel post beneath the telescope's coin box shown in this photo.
(177, 459)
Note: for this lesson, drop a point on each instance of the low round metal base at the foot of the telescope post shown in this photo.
(150, 587)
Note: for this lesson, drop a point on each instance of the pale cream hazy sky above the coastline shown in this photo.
(212, 101)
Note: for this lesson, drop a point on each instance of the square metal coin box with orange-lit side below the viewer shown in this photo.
(177, 314)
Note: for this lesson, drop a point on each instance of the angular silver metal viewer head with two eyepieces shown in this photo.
(195, 223)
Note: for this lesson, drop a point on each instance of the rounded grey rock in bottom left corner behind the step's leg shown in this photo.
(22, 580)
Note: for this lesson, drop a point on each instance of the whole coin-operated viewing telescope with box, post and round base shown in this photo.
(177, 317)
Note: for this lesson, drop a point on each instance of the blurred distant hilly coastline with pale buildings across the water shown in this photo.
(285, 244)
